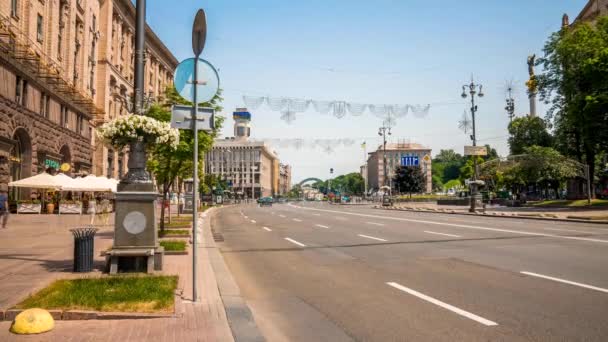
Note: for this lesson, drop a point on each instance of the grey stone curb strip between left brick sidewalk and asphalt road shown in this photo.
(240, 318)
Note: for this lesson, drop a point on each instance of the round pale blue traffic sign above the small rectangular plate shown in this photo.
(208, 80)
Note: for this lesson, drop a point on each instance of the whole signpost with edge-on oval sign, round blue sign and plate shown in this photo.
(197, 81)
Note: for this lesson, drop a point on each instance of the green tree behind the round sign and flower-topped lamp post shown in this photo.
(168, 165)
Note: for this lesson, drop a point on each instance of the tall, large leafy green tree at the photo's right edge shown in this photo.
(575, 82)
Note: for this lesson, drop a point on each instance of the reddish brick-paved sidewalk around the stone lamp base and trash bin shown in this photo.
(36, 249)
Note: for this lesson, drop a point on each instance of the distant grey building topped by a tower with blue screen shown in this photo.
(250, 166)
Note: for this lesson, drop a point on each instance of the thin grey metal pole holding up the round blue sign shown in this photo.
(195, 180)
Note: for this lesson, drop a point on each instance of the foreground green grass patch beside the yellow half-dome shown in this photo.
(110, 294)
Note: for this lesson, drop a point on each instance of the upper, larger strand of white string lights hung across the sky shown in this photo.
(289, 107)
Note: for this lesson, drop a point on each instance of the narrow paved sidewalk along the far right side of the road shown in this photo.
(559, 213)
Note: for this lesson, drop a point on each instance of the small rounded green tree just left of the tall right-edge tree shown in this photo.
(528, 131)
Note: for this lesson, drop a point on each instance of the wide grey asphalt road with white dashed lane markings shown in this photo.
(317, 272)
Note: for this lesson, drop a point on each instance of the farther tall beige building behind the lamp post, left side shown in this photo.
(116, 70)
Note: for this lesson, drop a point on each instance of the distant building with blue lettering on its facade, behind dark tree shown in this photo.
(396, 154)
